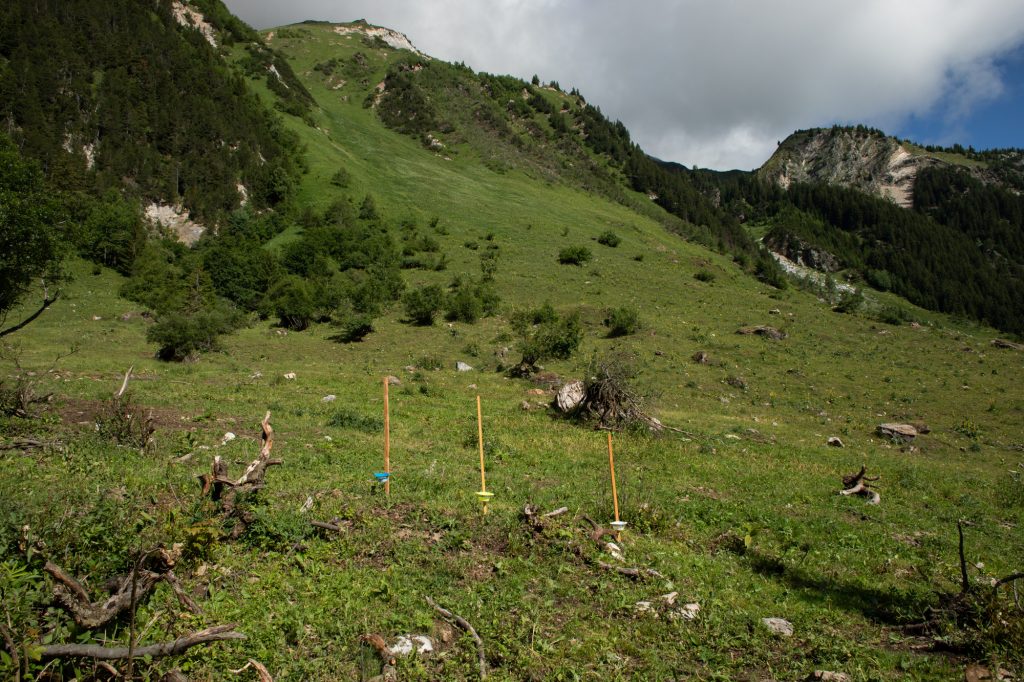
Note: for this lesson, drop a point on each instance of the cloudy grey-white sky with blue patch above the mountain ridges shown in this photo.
(717, 83)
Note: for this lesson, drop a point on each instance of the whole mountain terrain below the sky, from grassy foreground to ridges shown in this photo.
(322, 359)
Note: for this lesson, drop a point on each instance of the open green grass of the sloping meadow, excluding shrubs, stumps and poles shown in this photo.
(752, 464)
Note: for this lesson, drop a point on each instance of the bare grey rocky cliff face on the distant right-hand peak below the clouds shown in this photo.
(858, 158)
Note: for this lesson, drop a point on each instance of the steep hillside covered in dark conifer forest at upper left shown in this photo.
(136, 97)
